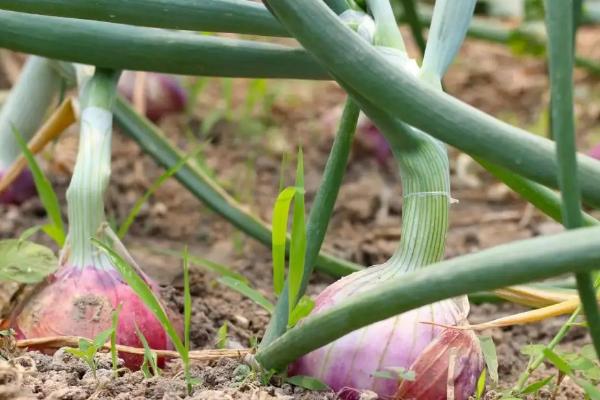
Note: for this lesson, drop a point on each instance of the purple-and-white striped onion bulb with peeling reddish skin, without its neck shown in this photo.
(414, 340)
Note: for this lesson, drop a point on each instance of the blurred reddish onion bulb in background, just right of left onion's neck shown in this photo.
(164, 94)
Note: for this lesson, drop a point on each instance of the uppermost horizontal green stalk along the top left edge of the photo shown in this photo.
(235, 16)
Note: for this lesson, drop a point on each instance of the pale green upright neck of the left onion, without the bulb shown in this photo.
(85, 195)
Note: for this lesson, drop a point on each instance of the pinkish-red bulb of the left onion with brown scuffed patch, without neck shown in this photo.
(80, 302)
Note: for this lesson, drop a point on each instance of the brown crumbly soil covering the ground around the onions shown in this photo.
(365, 227)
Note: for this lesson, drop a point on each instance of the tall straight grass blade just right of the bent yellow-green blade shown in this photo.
(298, 241)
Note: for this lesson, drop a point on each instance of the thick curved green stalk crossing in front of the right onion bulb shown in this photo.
(543, 257)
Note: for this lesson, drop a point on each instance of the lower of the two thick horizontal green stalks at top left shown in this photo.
(120, 46)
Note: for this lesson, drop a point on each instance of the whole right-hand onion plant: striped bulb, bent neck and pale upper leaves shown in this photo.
(418, 340)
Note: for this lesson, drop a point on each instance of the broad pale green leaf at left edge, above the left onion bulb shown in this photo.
(25, 262)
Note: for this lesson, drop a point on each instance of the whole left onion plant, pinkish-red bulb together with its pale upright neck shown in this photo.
(79, 299)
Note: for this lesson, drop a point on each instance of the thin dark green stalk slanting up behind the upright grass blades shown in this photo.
(320, 214)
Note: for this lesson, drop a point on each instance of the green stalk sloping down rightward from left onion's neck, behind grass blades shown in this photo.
(205, 189)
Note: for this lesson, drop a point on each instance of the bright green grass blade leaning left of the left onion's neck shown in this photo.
(45, 191)
